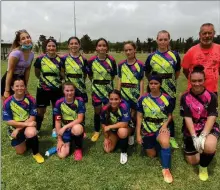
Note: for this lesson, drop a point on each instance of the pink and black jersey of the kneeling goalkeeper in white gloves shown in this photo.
(198, 107)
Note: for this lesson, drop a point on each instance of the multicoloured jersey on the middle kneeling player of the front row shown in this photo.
(108, 117)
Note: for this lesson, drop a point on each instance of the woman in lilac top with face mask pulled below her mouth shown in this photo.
(19, 62)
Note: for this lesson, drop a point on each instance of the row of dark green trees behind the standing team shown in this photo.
(149, 45)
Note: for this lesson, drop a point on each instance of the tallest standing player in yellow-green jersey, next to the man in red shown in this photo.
(167, 64)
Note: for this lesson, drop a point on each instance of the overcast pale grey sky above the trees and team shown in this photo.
(113, 20)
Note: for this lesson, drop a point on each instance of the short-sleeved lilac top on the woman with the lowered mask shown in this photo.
(22, 64)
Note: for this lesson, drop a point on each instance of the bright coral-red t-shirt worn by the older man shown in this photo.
(210, 59)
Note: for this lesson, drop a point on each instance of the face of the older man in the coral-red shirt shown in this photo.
(206, 35)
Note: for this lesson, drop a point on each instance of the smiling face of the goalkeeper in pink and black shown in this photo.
(197, 81)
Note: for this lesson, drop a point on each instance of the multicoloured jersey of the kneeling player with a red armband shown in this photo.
(68, 112)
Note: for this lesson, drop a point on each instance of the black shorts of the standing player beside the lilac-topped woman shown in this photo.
(44, 98)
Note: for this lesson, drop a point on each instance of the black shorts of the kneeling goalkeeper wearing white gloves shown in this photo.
(188, 146)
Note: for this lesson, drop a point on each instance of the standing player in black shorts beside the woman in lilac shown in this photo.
(48, 71)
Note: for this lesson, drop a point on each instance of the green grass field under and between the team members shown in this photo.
(99, 170)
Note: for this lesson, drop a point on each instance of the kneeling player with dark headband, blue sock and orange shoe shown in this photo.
(154, 113)
